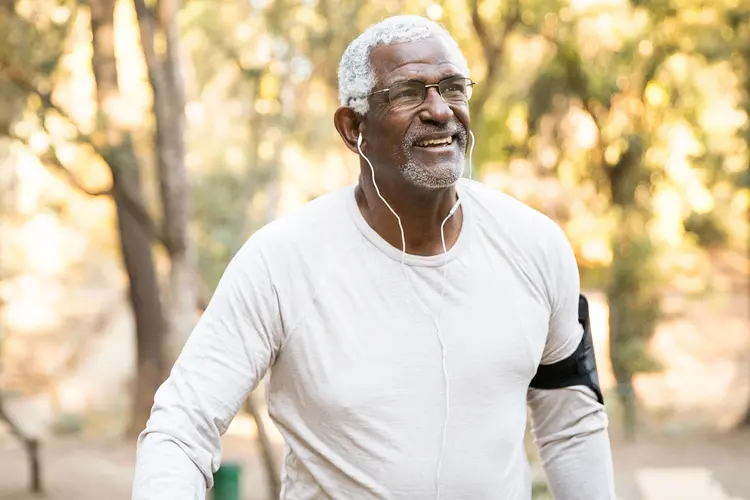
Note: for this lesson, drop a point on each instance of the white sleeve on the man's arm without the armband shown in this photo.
(227, 354)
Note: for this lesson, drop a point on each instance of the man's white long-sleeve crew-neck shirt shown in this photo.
(356, 383)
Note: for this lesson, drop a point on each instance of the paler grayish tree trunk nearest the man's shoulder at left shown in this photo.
(168, 104)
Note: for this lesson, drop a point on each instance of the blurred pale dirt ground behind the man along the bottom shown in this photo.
(655, 468)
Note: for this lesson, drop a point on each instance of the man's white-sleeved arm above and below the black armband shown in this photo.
(569, 424)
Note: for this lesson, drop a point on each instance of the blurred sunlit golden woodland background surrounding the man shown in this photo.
(142, 142)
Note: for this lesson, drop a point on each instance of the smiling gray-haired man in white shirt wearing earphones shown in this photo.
(402, 319)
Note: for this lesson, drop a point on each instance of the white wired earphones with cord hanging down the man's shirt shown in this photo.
(436, 321)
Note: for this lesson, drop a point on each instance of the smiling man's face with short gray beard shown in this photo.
(424, 143)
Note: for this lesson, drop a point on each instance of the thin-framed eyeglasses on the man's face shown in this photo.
(455, 90)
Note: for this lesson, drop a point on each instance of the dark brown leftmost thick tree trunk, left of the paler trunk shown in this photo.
(135, 241)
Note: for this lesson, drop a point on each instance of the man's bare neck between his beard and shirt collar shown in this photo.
(421, 211)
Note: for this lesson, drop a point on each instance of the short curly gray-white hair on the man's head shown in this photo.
(356, 75)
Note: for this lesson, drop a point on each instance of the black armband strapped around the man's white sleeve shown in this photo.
(577, 369)
